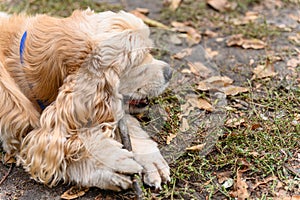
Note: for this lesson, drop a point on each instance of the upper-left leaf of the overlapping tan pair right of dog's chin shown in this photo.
(214, 82)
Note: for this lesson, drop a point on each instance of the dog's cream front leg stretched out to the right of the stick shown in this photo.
(146, 153)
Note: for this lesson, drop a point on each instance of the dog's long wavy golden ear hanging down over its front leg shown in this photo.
(85, 100)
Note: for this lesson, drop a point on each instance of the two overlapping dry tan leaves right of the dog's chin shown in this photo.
(221, 83)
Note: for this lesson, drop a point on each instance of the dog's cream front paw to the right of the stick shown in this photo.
(155, 169)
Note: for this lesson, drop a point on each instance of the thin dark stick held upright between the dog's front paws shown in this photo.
(123, 129)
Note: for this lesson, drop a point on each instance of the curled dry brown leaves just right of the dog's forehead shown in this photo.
(191, 35)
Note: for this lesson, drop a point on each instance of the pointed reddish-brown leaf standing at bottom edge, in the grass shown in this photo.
(240, 187)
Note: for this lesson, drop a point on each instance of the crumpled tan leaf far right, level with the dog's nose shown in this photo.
(263, 71)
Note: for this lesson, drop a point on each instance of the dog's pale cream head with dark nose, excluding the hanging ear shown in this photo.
(125, 46)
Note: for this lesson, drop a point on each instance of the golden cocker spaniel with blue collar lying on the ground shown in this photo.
(63, 82)
